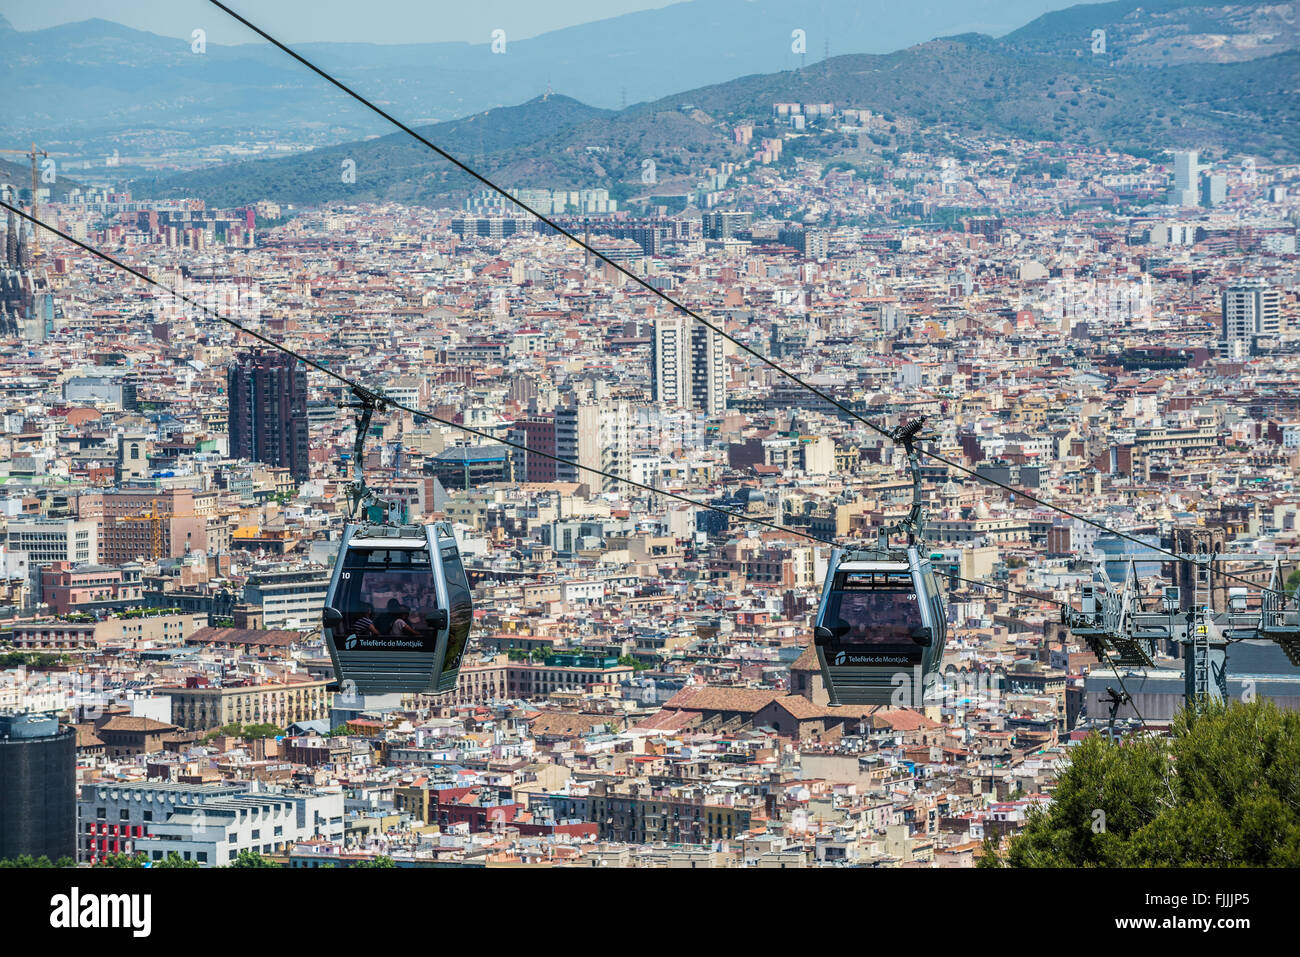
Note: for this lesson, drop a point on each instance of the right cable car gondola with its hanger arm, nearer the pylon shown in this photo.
(882, 626)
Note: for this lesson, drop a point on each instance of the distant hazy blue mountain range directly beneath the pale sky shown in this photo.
(135, 80)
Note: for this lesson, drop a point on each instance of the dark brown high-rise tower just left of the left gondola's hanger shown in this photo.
(268, 412)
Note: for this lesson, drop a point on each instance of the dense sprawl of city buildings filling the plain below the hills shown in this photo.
(644, 509)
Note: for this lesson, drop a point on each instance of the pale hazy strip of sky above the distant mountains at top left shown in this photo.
(305, 21)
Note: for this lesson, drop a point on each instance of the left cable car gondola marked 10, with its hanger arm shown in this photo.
(398, 609)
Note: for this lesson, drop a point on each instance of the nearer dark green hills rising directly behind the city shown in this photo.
(985, 89)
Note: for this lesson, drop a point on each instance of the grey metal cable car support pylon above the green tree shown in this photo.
(1121, 633)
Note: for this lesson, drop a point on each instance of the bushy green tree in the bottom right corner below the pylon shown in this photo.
(1223, 791)
